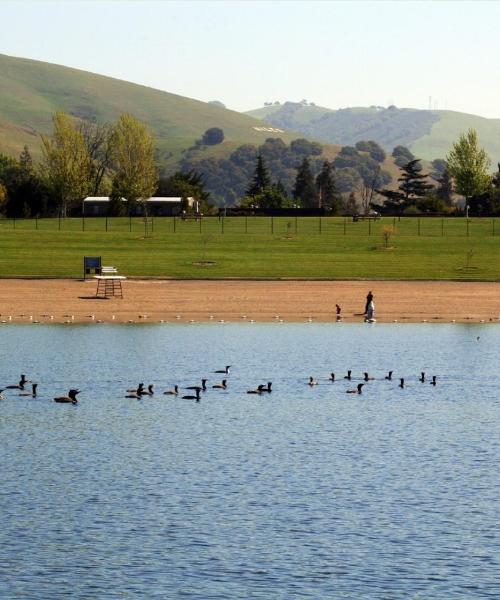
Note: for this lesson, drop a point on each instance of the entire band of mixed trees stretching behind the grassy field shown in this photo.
(119, 160)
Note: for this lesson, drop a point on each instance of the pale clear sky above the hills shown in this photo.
(421, 54)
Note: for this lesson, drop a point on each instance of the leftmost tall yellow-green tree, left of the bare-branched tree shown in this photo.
(66, 163)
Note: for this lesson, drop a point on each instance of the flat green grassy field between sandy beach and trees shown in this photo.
(255, 247)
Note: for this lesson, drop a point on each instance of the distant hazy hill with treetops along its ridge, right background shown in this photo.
(428, 134)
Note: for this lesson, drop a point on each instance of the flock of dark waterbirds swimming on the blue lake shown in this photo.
(141, 391)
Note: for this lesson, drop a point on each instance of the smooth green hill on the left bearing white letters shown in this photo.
(32, 90)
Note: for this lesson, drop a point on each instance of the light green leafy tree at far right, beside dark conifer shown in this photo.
(468, 165)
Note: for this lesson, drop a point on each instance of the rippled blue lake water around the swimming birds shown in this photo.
(303, 493)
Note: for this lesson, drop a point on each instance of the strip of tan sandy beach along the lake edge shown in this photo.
(26, 300)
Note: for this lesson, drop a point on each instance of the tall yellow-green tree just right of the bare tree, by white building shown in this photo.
(136, 175)
